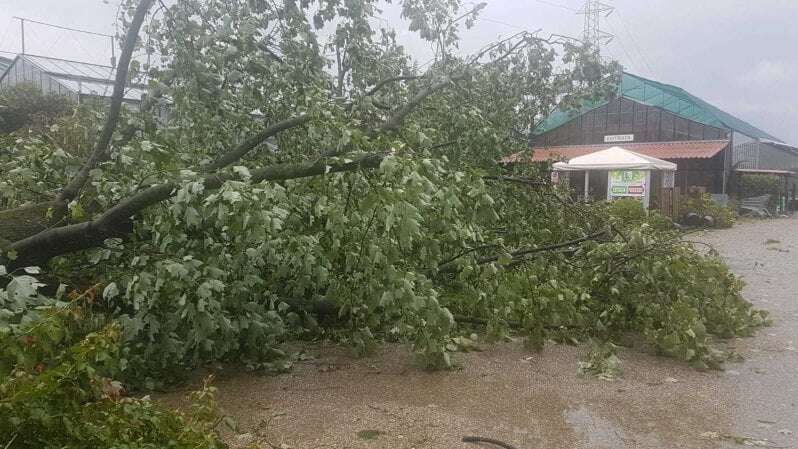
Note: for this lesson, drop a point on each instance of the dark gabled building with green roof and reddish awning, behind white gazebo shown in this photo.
(665, 122)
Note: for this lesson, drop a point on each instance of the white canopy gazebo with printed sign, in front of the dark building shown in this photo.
(629, 173)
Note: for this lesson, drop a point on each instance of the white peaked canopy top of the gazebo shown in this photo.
(615, 158)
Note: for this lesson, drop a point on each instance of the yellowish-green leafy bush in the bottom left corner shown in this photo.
(57, 388)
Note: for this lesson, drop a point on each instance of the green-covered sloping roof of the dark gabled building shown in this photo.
(665, 96)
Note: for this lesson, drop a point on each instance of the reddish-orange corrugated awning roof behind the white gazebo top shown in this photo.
(689, 149)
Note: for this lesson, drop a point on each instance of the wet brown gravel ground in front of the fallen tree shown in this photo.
(537, 400)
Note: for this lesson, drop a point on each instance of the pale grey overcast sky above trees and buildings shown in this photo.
(740, 55)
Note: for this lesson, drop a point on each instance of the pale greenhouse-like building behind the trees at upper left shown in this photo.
(78, 80)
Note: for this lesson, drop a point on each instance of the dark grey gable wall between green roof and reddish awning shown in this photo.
(624, 116)
